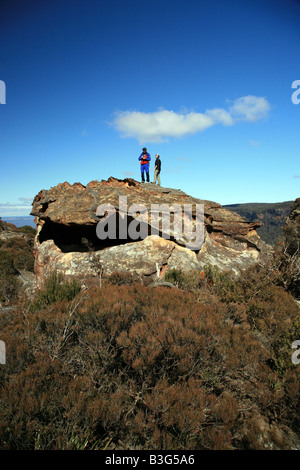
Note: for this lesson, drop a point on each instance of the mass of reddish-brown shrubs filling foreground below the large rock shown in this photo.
(150, 368)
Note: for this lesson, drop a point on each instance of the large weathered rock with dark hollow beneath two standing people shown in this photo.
(68, 219)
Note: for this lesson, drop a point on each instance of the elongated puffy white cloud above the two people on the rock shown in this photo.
(163, 124)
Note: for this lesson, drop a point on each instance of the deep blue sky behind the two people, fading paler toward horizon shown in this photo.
(206, 84)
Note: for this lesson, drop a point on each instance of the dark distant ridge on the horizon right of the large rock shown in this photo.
(271, 215)
